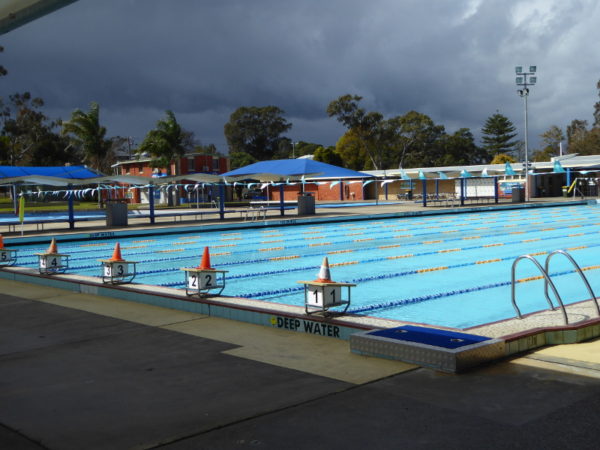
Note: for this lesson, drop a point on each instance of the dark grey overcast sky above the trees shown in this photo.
(450, 59)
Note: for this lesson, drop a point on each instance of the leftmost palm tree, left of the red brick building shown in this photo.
(88, 136)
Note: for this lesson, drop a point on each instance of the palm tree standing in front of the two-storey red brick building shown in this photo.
(166, 143)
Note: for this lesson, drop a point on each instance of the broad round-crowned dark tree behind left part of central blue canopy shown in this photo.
(254, 133)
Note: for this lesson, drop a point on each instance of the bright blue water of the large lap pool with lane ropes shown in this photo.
(449, 270)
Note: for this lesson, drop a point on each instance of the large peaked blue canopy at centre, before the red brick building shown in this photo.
(296, 168)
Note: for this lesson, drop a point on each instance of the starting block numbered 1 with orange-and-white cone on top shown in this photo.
(322, 294)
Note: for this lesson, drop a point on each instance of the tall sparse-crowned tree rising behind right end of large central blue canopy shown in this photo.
(369, 128)
